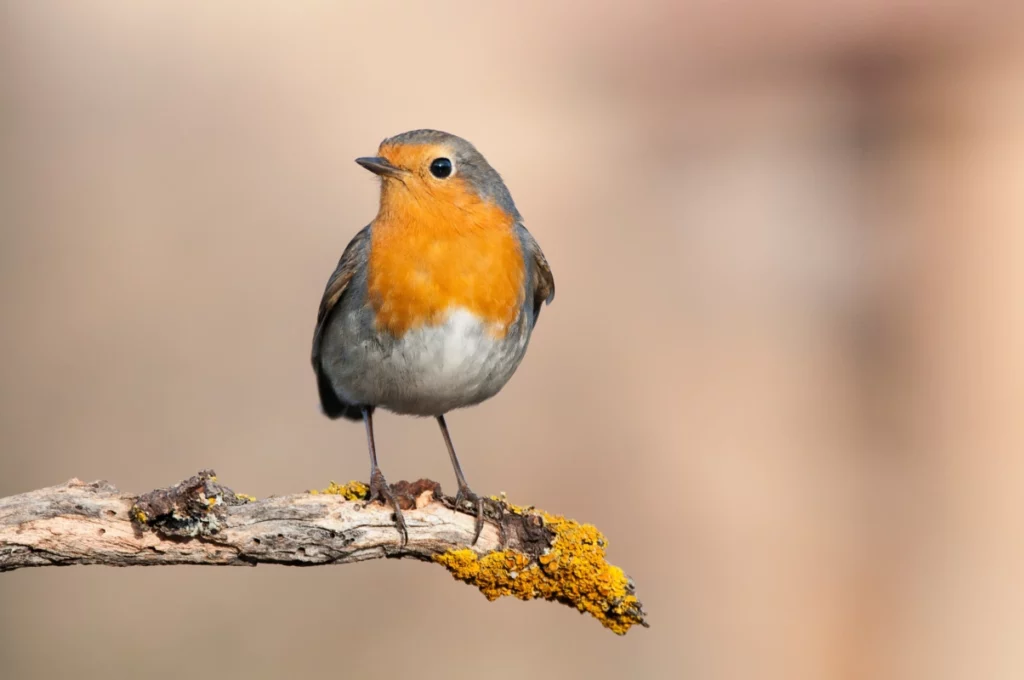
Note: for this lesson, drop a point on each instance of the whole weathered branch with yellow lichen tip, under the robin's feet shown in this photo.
(522, 552)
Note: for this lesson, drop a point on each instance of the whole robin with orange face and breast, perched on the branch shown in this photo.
(433, 305)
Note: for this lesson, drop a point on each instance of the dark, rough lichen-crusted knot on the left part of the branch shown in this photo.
(194, 507)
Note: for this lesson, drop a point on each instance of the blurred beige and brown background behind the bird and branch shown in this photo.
(784, 372)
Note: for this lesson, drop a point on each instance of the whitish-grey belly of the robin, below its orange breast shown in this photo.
(433, 370)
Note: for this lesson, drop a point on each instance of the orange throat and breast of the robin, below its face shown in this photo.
(429, 254)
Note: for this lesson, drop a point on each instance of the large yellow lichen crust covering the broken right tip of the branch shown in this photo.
(573, 571)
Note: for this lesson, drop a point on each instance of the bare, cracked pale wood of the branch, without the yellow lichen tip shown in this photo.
(95, 524)
